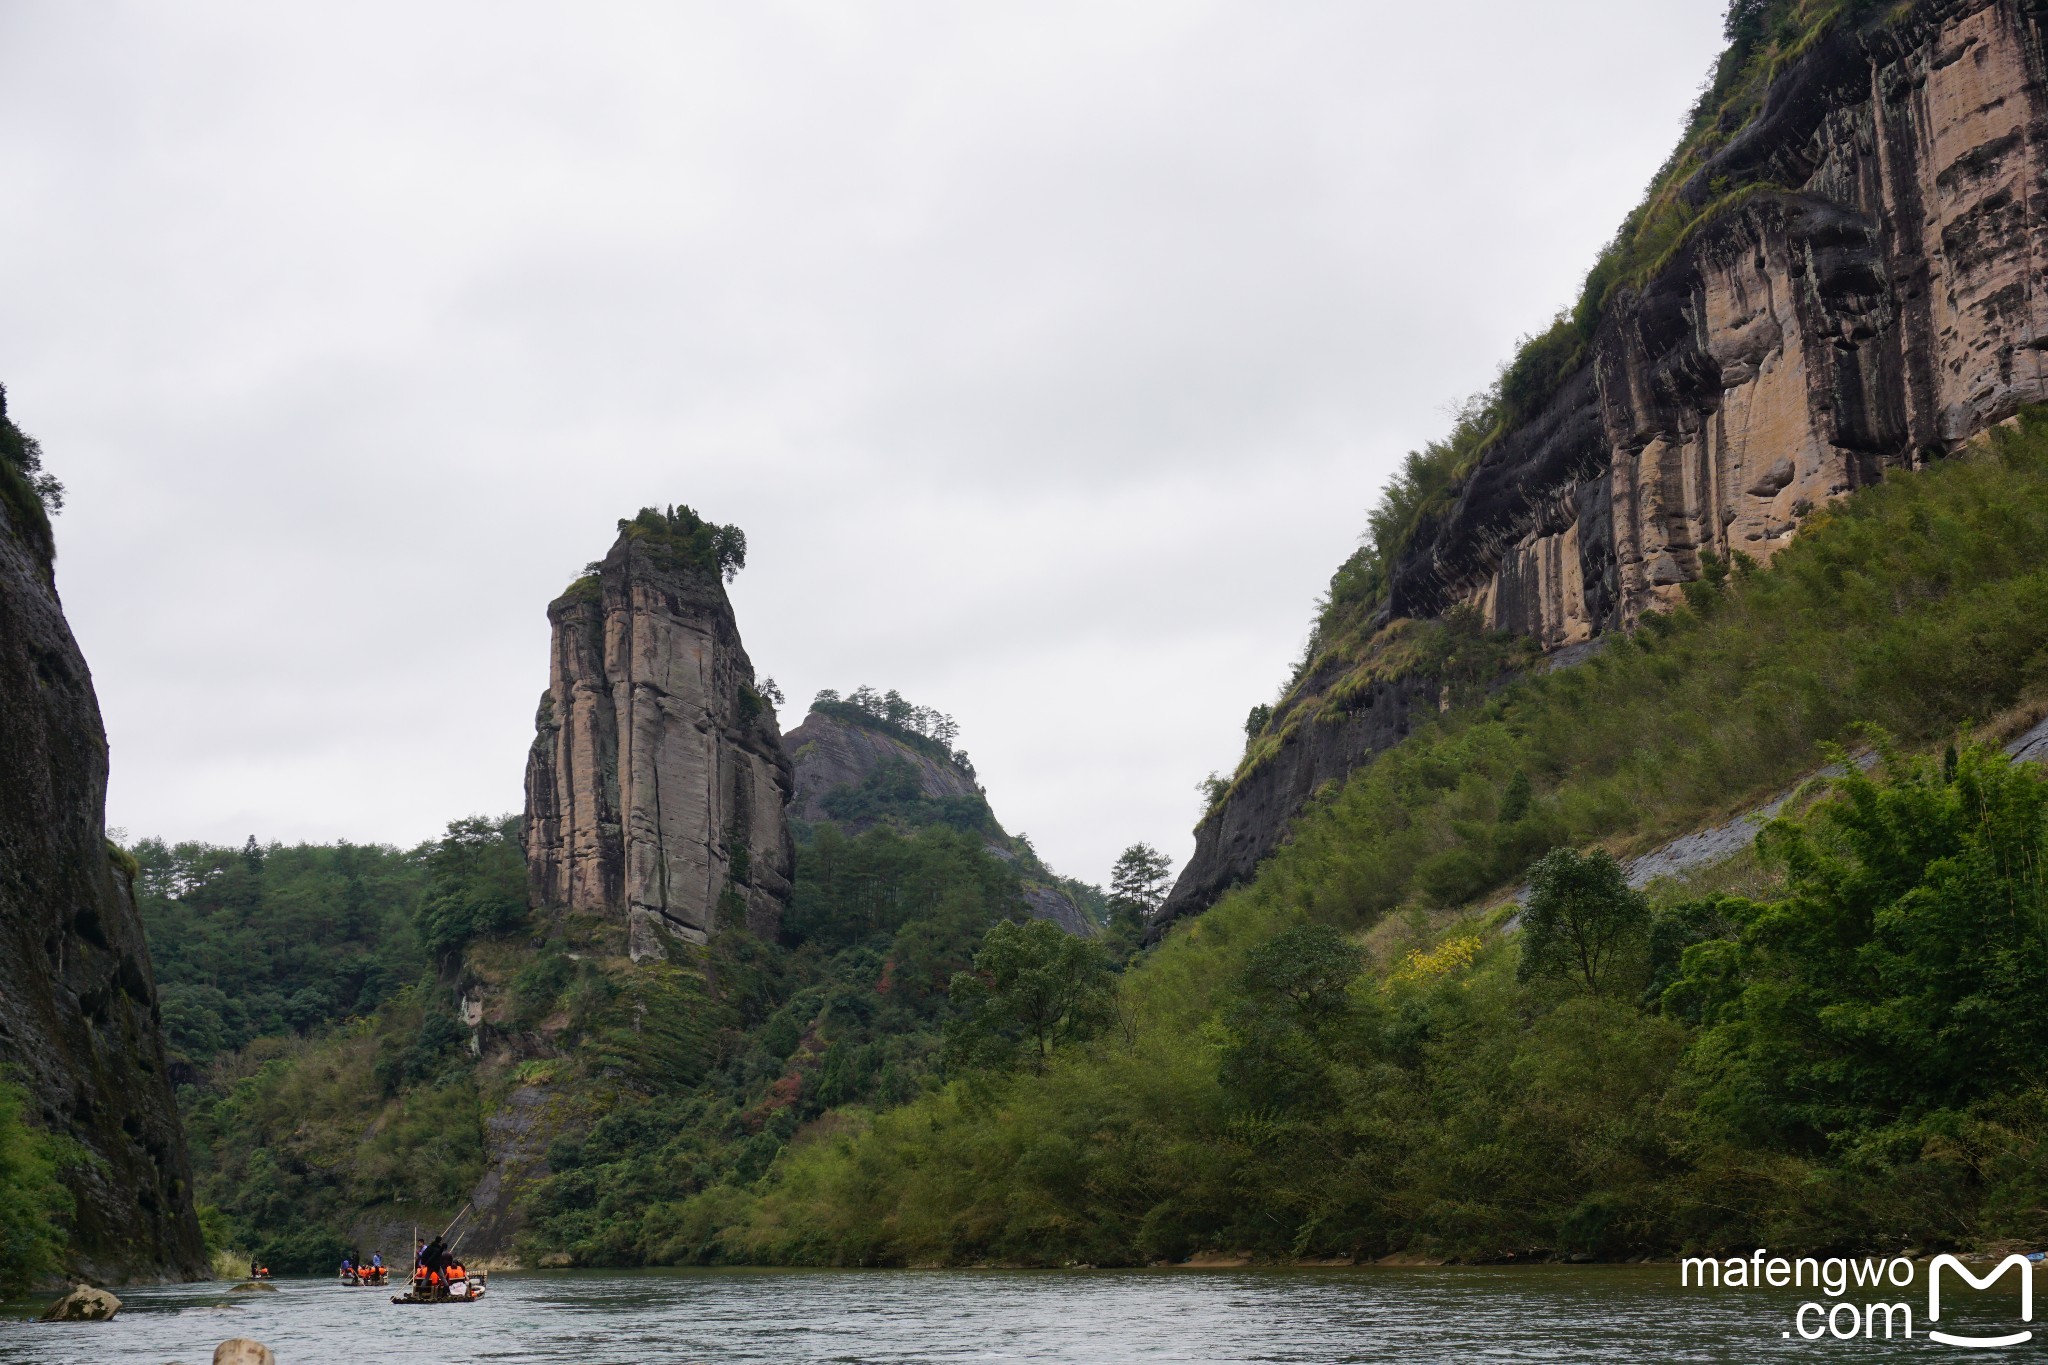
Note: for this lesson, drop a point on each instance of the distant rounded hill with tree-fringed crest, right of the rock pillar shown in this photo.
(876, 760)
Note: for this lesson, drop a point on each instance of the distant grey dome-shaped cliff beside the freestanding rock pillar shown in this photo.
(857, 775)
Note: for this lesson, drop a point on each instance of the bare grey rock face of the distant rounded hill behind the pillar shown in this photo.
(833, 754)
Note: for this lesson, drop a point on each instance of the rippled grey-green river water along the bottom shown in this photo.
(1553, 1315)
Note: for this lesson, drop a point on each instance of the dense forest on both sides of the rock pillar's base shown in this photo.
(329, 1084)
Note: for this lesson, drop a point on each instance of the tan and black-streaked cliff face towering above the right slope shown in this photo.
(1861, 292)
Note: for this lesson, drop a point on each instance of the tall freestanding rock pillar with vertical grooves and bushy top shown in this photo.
(656, 781)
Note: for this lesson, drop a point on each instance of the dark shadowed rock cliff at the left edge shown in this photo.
(79, 1018)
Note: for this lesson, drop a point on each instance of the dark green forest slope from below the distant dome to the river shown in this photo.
(849, 1012)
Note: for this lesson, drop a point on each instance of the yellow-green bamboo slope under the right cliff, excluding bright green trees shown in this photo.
(1490, 1116)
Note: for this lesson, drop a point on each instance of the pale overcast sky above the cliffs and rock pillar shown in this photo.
(1050, 355)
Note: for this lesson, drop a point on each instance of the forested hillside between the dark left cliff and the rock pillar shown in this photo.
(323, 1075)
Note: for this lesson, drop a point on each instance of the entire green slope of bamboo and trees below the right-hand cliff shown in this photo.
(1357, 1057)
